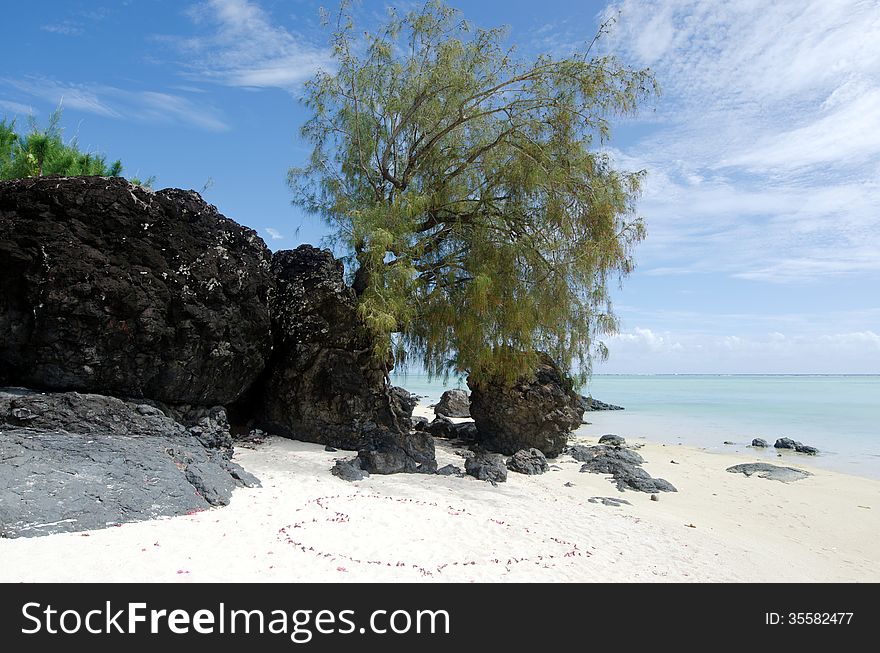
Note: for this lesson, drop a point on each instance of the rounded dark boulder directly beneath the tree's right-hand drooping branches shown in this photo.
(537, 412)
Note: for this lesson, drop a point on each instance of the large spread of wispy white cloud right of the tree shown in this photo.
(764, 153)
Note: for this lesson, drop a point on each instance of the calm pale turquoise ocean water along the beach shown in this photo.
(838, 414)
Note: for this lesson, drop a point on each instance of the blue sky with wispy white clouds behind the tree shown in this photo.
(763, 153)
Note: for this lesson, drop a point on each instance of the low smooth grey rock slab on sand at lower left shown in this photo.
(88, 461)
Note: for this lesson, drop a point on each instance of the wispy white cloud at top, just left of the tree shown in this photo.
(243, 47)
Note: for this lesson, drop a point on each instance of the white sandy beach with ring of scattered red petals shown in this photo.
(306, 525)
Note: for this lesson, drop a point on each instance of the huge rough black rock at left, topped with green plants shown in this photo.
(108, 287)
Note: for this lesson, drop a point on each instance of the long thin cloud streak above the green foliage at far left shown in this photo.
(114, 102)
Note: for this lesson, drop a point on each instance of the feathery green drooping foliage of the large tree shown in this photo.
(469, 187)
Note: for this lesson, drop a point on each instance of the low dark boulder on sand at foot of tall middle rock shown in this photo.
(389, 452)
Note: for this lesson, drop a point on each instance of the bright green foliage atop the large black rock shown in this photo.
(43, 152)
